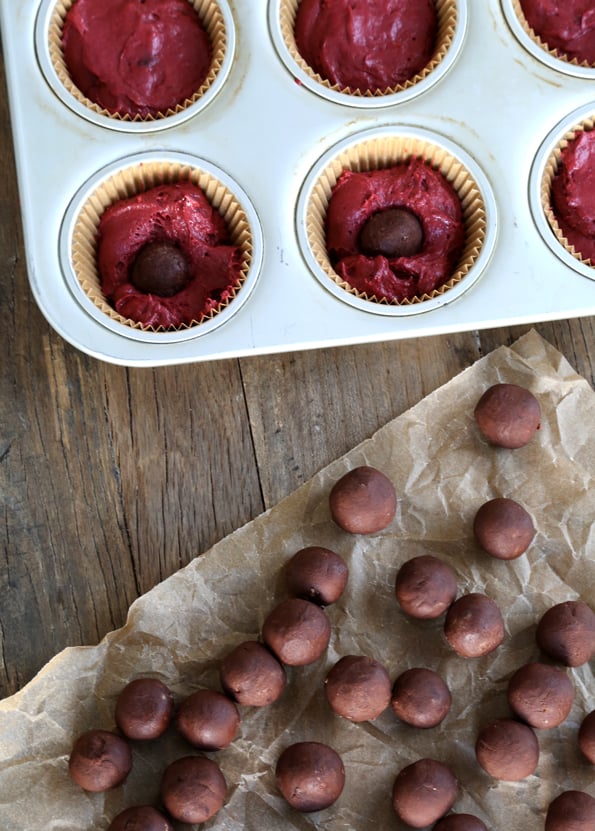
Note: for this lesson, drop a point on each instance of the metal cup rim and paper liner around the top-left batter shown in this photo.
(218, 21)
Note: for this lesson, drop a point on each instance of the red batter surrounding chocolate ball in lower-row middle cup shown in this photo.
(414, 185)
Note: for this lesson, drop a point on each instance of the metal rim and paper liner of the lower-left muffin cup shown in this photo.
(134, 174)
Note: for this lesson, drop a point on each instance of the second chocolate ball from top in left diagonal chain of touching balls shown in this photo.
(297, 631)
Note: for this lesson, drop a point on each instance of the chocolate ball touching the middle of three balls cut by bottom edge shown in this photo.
(423, 792)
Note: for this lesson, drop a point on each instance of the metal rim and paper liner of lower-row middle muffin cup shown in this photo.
(379, 148)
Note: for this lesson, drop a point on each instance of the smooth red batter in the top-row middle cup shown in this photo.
(366, 45)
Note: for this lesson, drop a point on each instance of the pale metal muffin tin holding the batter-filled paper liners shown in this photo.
(267, 130)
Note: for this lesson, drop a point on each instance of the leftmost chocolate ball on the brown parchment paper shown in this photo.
(99, 760)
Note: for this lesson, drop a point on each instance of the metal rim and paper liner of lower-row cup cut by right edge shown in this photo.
(542, 172)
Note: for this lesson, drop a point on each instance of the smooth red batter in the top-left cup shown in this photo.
(136, 57)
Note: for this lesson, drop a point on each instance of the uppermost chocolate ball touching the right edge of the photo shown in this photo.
(566, 632)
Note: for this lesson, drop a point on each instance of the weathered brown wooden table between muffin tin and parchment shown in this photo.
(113, 478)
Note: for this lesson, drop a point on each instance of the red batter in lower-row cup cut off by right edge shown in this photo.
(573, 194)
